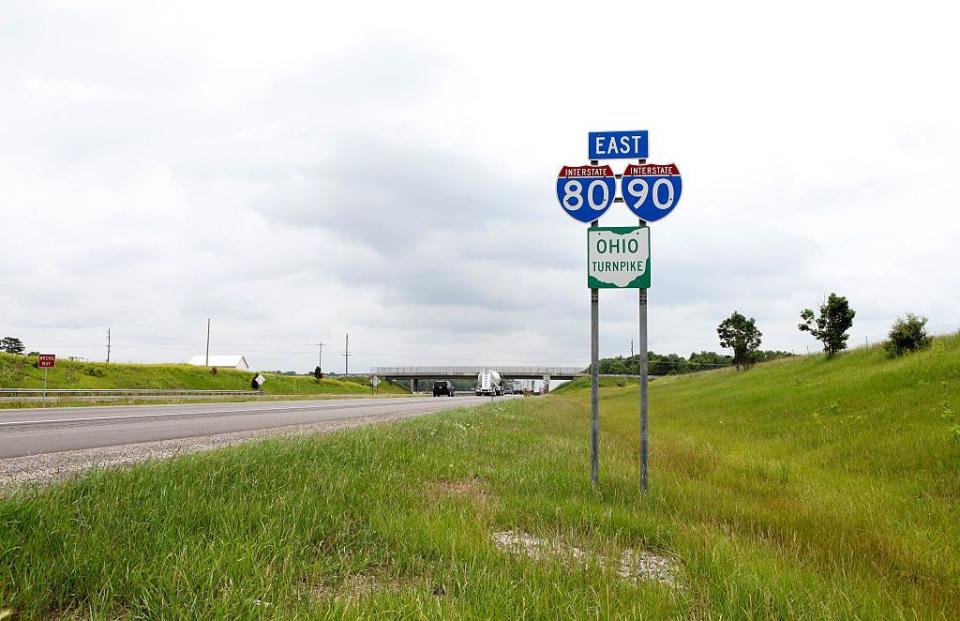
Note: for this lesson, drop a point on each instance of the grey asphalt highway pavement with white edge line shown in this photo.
(36, 431)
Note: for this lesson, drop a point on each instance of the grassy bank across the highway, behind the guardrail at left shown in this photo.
(21, 372)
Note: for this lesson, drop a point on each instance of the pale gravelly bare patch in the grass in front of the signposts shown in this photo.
(633, 564)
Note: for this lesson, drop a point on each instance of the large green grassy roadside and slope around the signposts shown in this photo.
(802, 489)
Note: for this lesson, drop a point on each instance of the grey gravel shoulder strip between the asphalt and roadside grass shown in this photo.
(54, 467)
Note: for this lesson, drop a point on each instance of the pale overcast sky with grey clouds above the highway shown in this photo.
(296, 171)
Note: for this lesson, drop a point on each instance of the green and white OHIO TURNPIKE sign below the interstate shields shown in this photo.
(618, 257)
